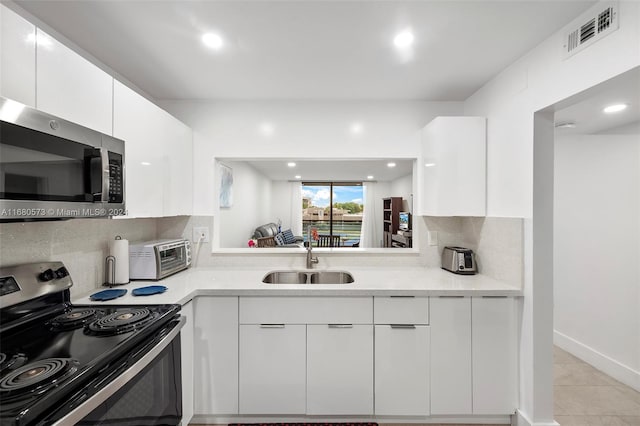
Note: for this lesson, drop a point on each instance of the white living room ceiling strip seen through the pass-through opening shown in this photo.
(334, 169)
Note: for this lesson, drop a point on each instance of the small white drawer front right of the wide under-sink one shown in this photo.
(401, 310)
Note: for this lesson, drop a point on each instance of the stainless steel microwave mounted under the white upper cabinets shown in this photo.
(51, 168)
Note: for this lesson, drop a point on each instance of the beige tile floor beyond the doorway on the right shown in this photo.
(584, 396)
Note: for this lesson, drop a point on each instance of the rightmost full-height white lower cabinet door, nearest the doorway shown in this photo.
(494, 355)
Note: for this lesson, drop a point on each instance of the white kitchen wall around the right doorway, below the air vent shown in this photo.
(540, 79)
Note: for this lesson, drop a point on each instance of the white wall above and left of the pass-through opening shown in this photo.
(301, 129)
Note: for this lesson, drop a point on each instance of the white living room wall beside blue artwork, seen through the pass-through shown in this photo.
(251, 206)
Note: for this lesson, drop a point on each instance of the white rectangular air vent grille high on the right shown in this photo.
(596, 23)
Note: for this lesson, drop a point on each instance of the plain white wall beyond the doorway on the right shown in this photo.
(597, 251)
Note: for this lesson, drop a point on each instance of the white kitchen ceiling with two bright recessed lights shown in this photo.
(306, 49)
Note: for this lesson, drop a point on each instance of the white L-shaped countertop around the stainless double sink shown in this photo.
(370, 281)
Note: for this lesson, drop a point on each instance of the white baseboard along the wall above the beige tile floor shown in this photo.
(607, 365)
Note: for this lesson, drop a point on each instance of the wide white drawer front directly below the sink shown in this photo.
(306, 310)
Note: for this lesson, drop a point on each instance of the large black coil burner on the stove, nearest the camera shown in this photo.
(37, 376)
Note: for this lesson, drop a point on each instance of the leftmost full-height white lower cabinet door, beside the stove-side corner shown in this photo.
(216, 355)
